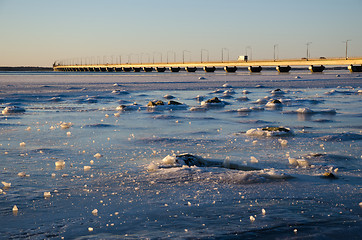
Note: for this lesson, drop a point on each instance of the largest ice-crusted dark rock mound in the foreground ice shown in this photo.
(188, 167)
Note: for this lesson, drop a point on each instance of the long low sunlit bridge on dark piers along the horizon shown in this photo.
(314, 65)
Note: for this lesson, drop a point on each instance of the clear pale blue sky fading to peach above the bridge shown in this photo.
(39, 32)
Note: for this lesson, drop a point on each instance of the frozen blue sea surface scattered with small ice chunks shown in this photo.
(72, 152)
